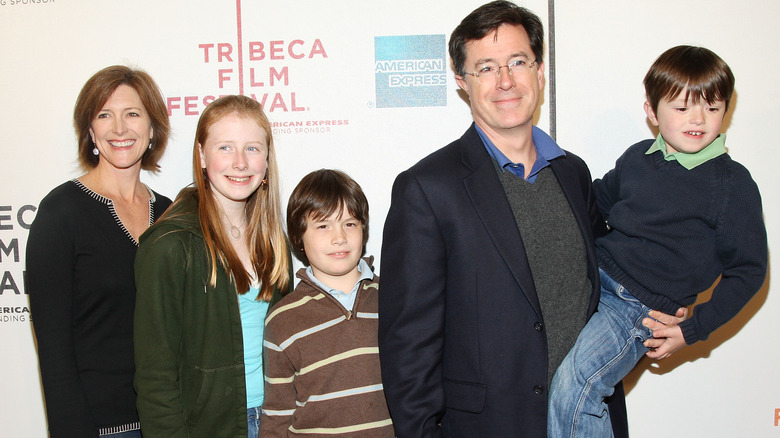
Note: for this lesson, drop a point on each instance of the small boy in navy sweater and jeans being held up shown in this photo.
(681, 213)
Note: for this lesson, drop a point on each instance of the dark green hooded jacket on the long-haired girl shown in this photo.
(189, 353)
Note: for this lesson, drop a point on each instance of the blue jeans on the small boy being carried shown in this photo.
(607, 349)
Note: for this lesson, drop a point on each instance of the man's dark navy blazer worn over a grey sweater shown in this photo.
(461, 335)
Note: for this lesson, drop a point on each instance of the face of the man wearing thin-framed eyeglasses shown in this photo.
(507, 102)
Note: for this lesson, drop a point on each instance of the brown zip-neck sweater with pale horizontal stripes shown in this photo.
(322, 375)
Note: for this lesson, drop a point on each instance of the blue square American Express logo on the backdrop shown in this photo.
(410, 71)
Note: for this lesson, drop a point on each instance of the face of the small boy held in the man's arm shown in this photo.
(685, 126)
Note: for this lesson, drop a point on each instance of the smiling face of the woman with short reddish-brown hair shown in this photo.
(121, 130)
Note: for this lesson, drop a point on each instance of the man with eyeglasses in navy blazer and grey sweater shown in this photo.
(488, 264)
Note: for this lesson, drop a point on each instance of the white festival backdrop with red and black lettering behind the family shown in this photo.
(316, 63)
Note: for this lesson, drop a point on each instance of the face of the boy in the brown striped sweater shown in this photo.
(333, 246)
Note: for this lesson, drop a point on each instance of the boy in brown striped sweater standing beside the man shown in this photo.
(321, 350)
